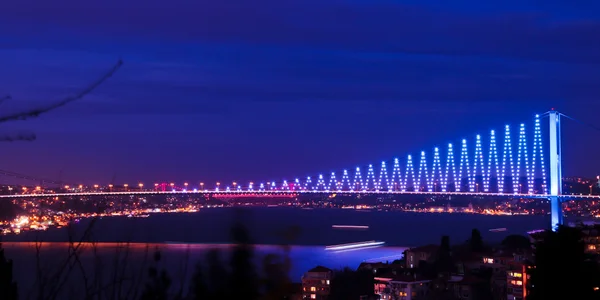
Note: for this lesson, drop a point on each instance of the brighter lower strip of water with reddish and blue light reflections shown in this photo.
(174, 255)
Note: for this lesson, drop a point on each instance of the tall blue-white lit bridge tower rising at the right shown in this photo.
(555, 171)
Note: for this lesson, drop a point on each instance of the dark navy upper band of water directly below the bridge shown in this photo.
(267, 226)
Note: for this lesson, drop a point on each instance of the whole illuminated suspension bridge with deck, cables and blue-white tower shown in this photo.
(523, 162)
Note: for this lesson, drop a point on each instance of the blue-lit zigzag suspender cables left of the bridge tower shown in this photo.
(511, 162)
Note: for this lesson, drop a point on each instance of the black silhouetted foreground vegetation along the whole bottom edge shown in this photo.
(560, 269)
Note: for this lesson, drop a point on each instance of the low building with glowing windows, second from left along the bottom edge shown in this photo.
(403, 287)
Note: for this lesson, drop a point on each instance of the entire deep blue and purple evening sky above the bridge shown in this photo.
(270, 89)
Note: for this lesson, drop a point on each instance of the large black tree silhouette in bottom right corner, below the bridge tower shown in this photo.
(562, 269)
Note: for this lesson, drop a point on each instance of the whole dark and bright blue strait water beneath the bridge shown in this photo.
(192, 235)
